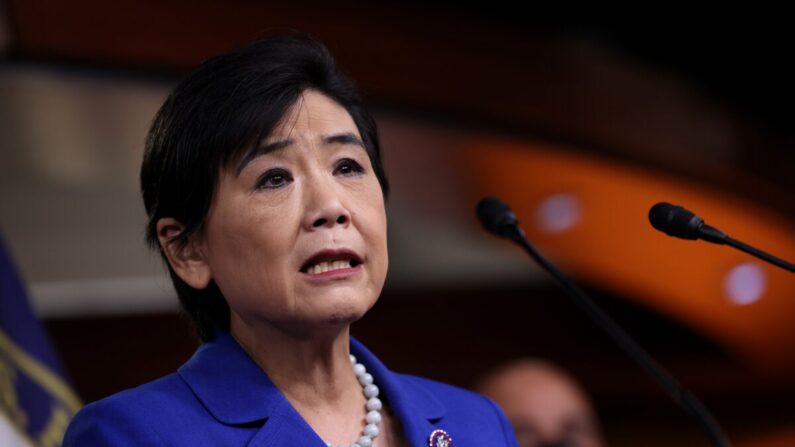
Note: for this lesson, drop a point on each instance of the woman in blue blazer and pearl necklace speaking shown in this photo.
(263, 185)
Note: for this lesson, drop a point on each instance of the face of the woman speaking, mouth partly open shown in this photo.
(296, 234)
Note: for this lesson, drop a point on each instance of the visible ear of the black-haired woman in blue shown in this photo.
(189, 261)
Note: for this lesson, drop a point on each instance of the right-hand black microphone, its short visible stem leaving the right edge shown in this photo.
(677, 221)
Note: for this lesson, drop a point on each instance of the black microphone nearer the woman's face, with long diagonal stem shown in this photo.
(499, 220)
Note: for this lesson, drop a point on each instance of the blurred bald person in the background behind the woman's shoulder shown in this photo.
(545, 405)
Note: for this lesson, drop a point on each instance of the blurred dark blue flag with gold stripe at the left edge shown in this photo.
(36, 403)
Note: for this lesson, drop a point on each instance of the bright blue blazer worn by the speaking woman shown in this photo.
(220, 397)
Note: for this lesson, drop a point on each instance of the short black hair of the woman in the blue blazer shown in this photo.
(217, 113)
